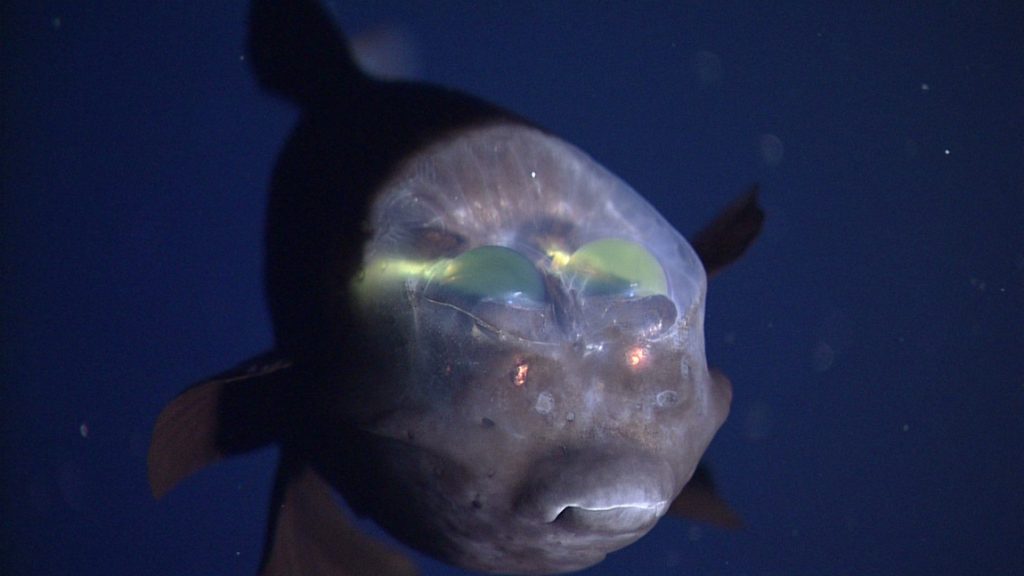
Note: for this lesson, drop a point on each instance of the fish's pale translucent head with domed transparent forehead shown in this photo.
(542, 393)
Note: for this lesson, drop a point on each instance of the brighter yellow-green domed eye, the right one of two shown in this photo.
(614, 267)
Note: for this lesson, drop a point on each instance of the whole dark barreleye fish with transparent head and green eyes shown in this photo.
(484, 341)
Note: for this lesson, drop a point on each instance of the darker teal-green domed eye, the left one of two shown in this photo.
(489, 273)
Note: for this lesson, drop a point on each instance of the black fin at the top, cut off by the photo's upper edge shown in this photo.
(298, 52)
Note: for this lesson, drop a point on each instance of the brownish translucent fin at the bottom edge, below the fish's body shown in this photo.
(310, 534)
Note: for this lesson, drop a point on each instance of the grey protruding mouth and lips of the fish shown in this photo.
(619, 495)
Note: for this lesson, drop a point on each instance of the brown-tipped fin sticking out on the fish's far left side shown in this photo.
(232, 414)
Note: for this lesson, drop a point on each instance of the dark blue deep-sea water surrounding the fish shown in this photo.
(875, 336)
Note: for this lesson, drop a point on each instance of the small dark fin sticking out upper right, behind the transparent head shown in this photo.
(731, 234)
